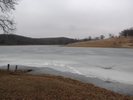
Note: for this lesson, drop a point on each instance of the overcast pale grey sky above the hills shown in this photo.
(72, 18)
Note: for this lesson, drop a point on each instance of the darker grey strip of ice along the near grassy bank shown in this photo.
(120, 88)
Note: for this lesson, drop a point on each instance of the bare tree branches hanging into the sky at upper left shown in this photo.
(7, 24)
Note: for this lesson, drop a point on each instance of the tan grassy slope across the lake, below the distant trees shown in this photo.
(118, 42)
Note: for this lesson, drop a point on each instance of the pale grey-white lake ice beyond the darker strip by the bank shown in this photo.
(109, 64)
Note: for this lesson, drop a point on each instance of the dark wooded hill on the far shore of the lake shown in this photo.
(12, 39)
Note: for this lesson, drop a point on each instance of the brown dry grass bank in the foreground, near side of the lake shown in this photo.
(22, 86)
